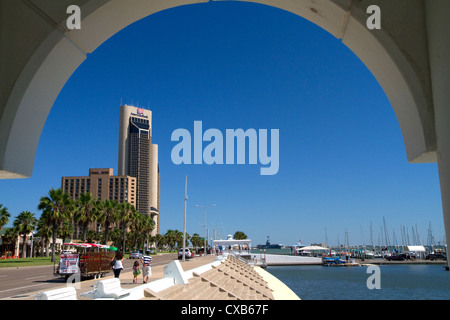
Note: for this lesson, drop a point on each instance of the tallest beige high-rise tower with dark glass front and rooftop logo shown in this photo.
(138, 158)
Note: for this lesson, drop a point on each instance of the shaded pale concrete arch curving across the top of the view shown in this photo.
(34, 70)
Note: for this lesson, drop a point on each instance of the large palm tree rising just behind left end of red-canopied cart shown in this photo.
(56, 208)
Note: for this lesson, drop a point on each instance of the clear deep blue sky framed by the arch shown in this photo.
(235, 65)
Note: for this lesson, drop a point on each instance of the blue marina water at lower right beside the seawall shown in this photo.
(398, 282)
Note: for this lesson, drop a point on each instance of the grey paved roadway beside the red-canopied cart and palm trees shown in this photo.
(19, 283)
